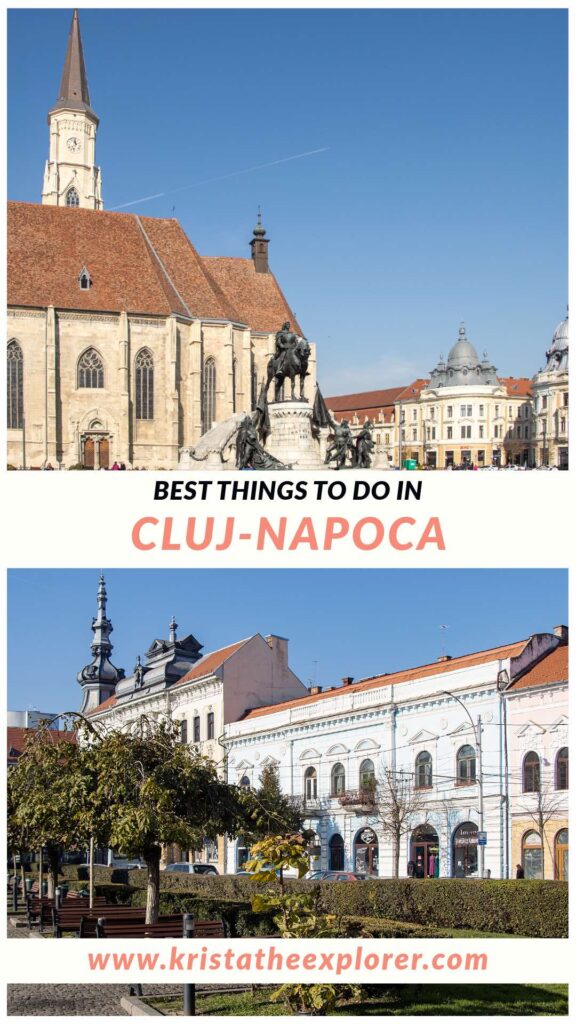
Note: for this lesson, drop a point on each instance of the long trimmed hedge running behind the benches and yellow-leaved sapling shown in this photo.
(529, 908)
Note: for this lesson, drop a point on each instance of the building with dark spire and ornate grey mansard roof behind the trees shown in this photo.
(177, 680)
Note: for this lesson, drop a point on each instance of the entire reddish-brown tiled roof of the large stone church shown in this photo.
(138, 265)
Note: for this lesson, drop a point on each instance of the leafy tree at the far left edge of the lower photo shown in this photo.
(51, 798)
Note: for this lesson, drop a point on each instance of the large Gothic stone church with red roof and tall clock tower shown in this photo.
(125, 345)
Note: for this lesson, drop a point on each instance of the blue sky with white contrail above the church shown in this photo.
(441, 196)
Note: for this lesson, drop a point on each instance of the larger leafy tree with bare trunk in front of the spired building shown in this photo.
(153, 790)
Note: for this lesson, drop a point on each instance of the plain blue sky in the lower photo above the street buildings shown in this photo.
(340, 622)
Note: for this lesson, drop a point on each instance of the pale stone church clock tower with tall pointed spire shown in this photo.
(71, 178)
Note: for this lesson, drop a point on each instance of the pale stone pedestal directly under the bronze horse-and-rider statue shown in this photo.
(292, 439)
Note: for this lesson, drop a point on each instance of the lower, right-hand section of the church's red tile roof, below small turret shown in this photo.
(258, 297)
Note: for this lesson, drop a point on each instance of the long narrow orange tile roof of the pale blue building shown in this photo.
(405, 676)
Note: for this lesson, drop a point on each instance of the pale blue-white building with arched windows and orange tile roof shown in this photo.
(441, 727)
